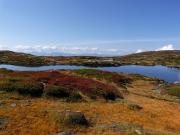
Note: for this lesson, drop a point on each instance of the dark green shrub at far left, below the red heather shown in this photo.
(29, 88)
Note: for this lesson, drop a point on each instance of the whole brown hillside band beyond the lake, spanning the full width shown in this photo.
(167, 58)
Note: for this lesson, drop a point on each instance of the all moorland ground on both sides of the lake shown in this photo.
(87, 101)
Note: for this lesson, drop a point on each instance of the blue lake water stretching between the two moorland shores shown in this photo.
(170, 75)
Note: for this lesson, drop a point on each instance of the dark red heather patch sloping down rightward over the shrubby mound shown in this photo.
(73, 84)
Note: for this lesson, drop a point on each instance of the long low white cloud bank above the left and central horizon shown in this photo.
(58, 50)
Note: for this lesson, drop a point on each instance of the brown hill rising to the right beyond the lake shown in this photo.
(167, 58)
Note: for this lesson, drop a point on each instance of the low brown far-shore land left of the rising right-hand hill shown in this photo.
(23, 59)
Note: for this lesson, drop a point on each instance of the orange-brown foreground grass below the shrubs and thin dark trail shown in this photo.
(39, 117)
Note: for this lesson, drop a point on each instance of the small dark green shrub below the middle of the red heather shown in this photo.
(56, 91)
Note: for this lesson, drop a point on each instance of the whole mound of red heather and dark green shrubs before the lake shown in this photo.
(57, 85)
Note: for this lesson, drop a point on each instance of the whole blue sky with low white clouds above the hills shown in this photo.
(89, 27)
